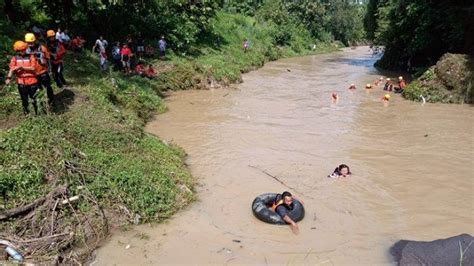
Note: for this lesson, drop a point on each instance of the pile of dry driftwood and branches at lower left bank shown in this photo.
(54, 229)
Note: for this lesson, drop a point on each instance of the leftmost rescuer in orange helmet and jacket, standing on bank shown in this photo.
(24, 67)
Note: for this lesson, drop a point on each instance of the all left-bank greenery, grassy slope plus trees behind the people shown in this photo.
(93, 145)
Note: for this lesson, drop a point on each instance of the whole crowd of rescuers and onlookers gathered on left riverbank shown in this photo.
(40, 55)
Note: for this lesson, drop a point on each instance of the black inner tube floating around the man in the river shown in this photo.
(261, 209)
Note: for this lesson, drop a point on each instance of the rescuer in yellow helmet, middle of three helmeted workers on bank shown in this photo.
(41, 54)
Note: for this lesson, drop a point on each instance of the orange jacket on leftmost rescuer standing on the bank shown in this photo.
(24, 77)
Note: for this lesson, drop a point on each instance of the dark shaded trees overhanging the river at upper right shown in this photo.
(417, 33)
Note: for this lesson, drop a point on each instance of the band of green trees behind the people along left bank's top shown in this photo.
(186, 23)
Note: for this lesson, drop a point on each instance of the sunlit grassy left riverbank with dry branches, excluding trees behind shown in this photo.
(93, 145)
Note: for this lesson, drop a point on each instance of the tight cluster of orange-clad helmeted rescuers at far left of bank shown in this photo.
(33, 62)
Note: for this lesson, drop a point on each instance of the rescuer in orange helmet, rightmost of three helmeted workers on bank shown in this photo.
(57, 51)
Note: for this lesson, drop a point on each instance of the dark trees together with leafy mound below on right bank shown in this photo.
(416, 34)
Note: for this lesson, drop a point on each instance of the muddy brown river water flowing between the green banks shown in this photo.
(412, 169)
